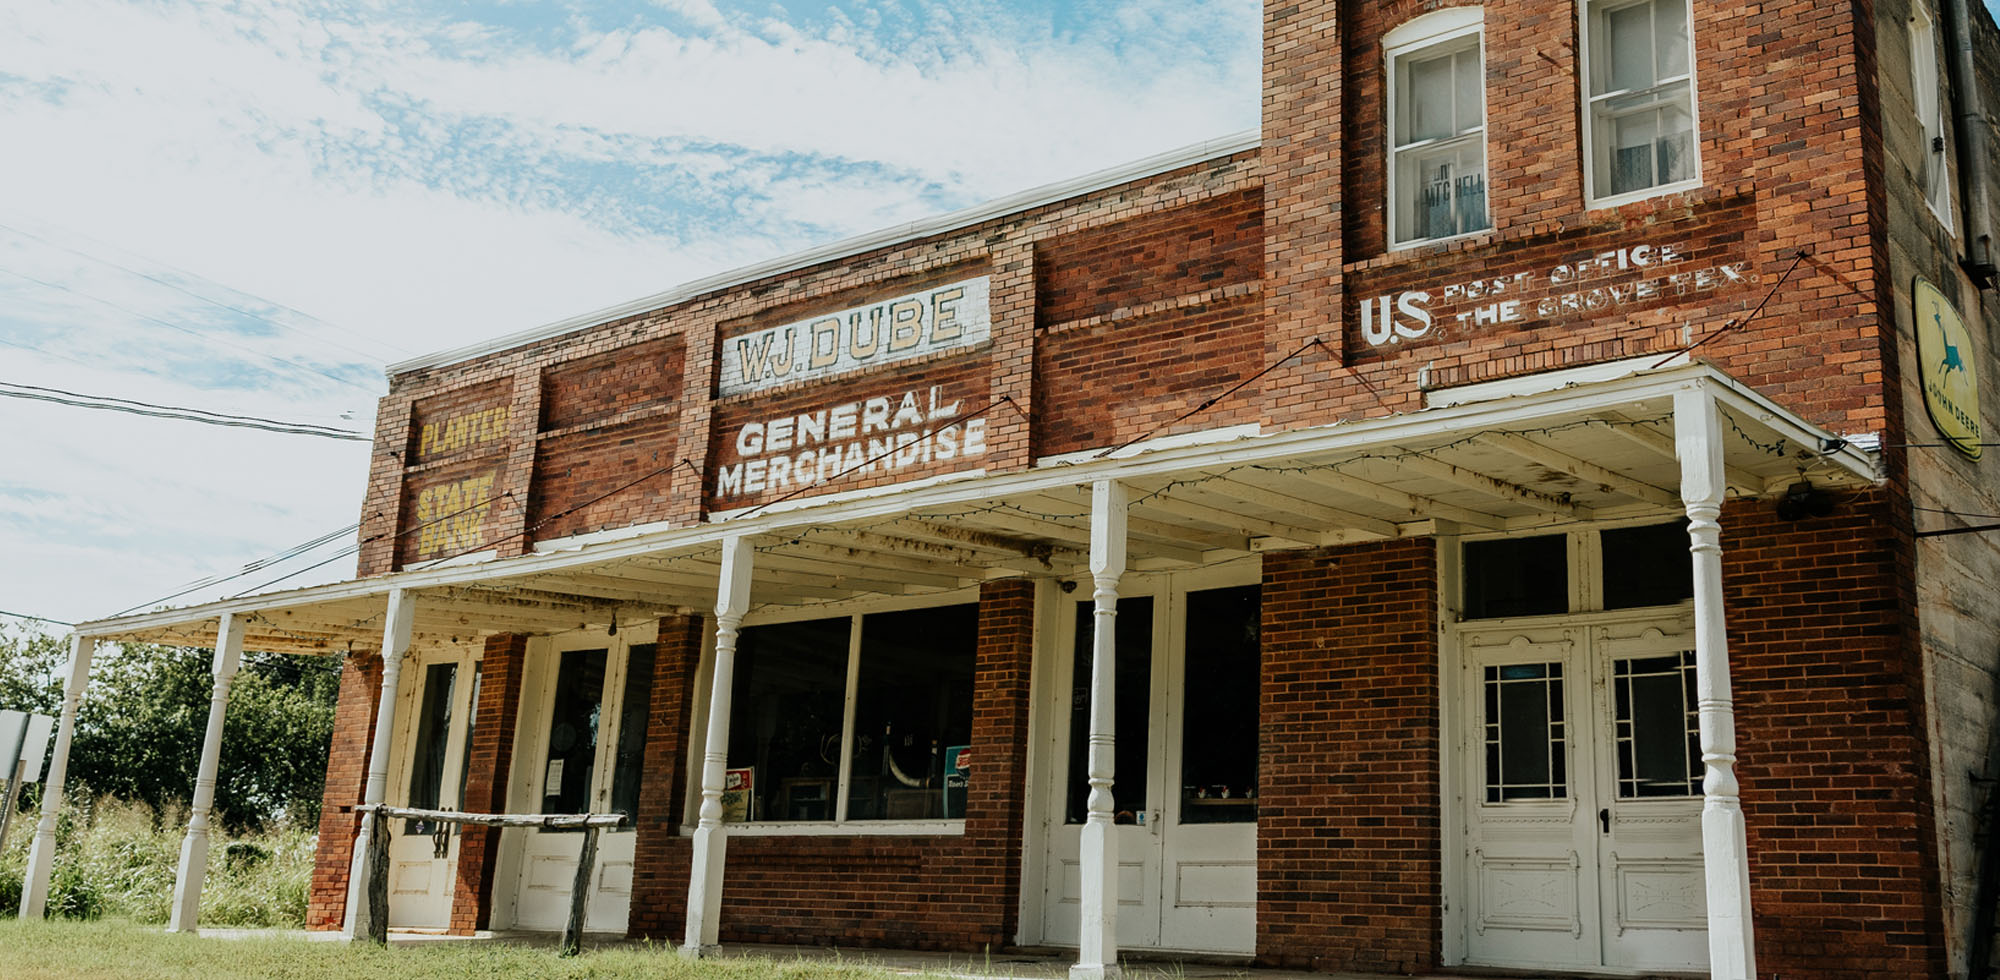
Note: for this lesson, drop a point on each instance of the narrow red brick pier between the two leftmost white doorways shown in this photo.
(487, 773)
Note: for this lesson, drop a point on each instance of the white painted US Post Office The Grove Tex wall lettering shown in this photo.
(1591, 285)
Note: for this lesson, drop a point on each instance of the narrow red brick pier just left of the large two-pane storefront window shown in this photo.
(659, 853)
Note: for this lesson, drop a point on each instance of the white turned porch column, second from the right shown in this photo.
(1097, 947)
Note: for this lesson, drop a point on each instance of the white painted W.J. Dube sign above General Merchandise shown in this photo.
(951, 317)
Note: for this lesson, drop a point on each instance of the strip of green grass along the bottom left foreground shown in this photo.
(121, 951)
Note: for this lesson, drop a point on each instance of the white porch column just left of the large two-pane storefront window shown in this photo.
(711, 837)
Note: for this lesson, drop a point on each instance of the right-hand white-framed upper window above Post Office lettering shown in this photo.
(1639, 101)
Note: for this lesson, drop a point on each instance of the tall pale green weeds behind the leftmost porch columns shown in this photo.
(113, 861)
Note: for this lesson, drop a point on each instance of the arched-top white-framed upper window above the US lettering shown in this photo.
(1437, 111)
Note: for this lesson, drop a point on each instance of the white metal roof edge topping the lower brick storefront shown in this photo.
(851, 247)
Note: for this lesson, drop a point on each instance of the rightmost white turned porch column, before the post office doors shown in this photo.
(1725, 847)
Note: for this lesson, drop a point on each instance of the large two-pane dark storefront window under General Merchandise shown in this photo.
(891, 693)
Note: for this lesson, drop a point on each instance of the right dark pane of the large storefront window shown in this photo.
(911, 713)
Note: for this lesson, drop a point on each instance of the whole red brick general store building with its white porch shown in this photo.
(1355, 463)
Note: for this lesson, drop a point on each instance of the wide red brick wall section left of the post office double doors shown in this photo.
(1349, 839)
